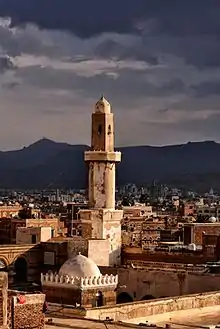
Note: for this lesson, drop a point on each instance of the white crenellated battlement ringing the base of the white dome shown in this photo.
(82, 283)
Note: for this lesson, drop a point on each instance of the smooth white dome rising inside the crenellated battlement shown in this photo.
(80, 266)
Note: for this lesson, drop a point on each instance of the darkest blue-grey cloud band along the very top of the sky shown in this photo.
(87, 18)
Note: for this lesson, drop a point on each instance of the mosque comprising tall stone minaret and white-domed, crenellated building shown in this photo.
(79, 281)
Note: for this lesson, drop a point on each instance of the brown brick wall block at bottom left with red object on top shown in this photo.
(27, 315)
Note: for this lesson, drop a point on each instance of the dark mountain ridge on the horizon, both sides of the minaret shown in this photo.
(47, 164)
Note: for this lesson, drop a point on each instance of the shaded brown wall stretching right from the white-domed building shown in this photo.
(158, 283)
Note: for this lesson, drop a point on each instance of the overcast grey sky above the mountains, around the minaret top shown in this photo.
(156, 61)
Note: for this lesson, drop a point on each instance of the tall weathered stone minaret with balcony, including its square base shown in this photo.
(102, 217)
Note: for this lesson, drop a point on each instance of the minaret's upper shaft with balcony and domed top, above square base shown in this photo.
(102, 158)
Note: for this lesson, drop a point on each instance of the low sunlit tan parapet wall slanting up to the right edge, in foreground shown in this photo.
(125, 312)
